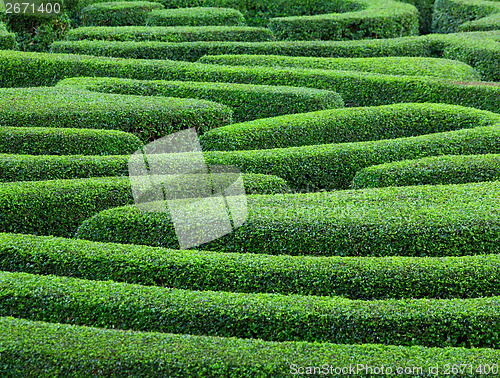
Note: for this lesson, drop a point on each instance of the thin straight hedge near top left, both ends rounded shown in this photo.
(171, 34)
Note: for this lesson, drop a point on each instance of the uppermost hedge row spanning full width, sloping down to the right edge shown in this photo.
(356, 88)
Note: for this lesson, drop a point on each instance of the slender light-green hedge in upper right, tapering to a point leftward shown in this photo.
(410, 66)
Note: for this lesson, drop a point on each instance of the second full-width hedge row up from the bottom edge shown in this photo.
(270, 317)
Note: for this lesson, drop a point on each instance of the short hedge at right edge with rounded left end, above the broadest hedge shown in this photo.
(431, 171)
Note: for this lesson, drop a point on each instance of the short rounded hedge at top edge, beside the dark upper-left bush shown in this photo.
(117, 13)
